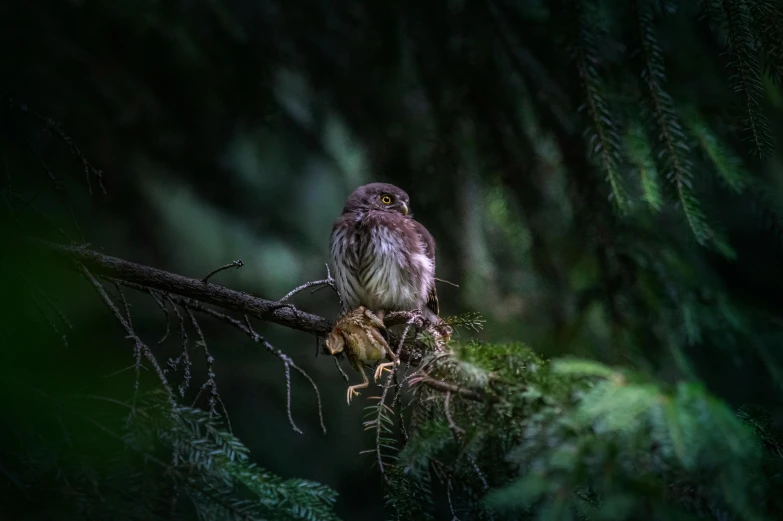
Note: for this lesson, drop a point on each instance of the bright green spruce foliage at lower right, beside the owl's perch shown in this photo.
(576, 439)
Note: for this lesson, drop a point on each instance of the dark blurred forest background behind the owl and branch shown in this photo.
(603, 179)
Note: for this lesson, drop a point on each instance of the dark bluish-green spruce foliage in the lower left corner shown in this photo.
(151, 461)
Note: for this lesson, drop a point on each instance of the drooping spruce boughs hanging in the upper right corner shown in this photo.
(608, 40)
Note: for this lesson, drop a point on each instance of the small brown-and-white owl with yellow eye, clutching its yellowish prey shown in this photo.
(383, 261)
